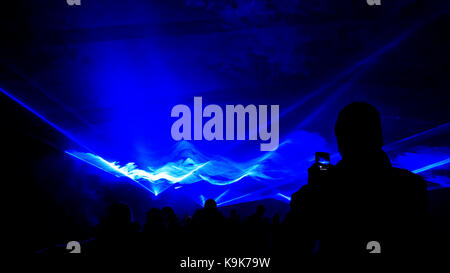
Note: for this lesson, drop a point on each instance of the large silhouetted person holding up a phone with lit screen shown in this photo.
(361, 199)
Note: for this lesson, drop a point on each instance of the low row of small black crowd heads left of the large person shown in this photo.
(207, 232)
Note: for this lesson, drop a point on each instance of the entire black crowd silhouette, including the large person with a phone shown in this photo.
(359, 200)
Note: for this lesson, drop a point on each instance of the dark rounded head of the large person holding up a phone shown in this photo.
(358, 130)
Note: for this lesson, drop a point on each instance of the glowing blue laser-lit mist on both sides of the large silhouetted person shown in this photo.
(281, 168)
